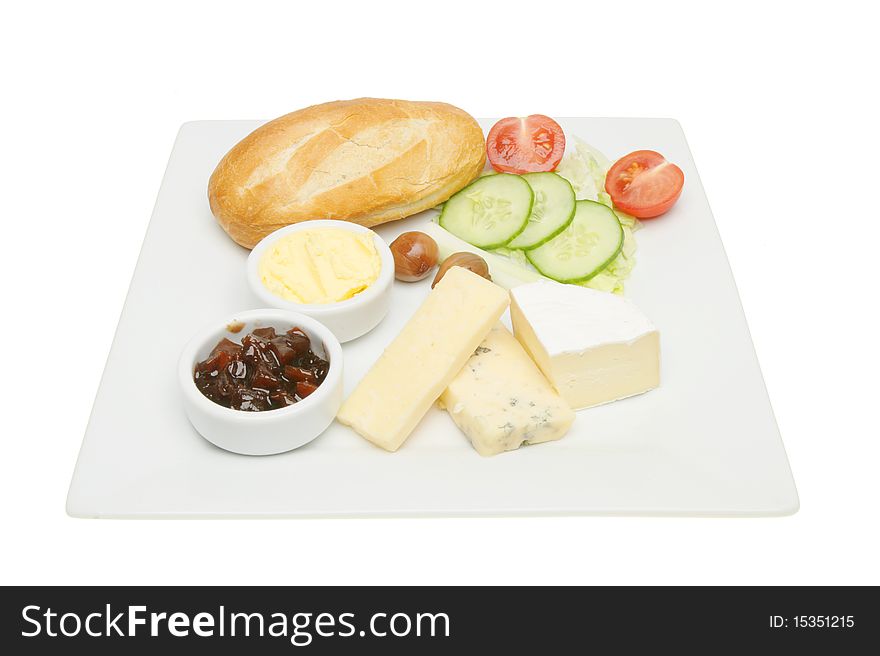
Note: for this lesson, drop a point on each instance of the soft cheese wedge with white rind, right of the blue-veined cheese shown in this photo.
(594, 347)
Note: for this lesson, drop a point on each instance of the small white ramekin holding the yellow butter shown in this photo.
(347, 319)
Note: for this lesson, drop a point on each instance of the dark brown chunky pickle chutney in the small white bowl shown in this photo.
(266, 371)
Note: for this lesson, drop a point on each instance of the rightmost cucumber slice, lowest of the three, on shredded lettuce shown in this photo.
(589, 244)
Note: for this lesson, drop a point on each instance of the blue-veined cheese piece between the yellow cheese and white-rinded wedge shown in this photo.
(500, 400)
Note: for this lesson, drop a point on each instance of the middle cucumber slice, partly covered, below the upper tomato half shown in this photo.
(552, 211)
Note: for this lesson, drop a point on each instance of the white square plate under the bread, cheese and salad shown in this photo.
(704, 443)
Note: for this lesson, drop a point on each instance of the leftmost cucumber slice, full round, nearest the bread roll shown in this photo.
(490, 211)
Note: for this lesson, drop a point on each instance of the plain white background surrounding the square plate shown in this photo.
(778, 101)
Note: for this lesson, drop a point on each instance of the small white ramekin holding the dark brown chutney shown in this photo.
(271, 431)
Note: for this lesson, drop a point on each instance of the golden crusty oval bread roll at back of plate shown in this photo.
(367, 160)
